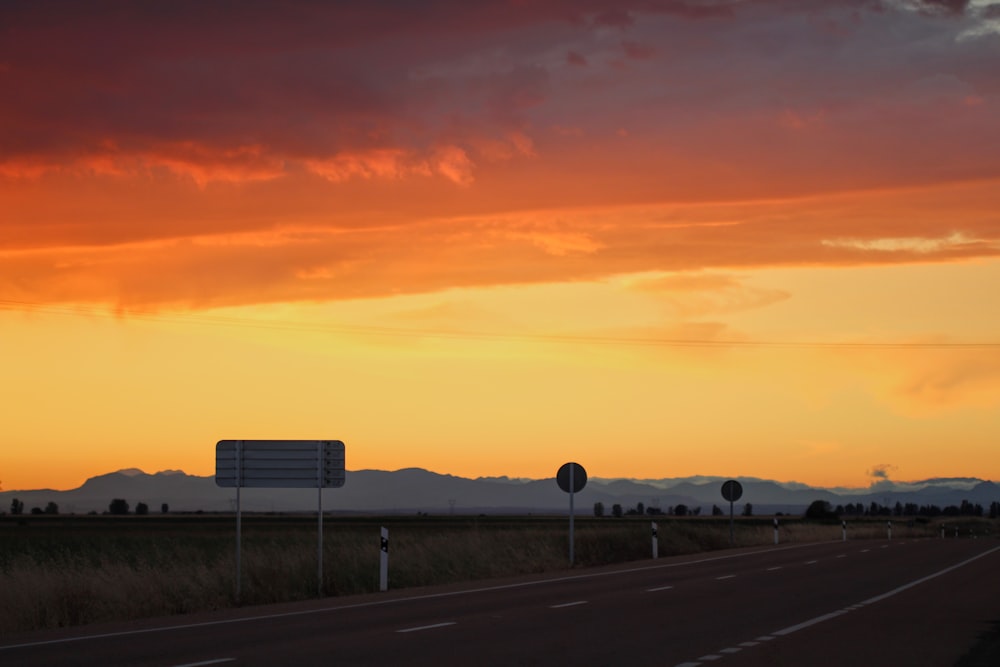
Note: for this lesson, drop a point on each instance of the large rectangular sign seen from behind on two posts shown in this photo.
(280, 464)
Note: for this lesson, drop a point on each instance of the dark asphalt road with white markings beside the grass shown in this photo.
(854, 603)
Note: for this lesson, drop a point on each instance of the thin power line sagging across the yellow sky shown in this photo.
(279, 325)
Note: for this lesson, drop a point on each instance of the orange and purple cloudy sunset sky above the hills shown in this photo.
(720, 237)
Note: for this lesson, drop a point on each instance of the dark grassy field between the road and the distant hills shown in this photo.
(70, 570)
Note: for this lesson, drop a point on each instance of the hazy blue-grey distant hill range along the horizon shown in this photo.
(412, 490)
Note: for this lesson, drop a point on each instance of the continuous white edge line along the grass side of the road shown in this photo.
(430, 596)
